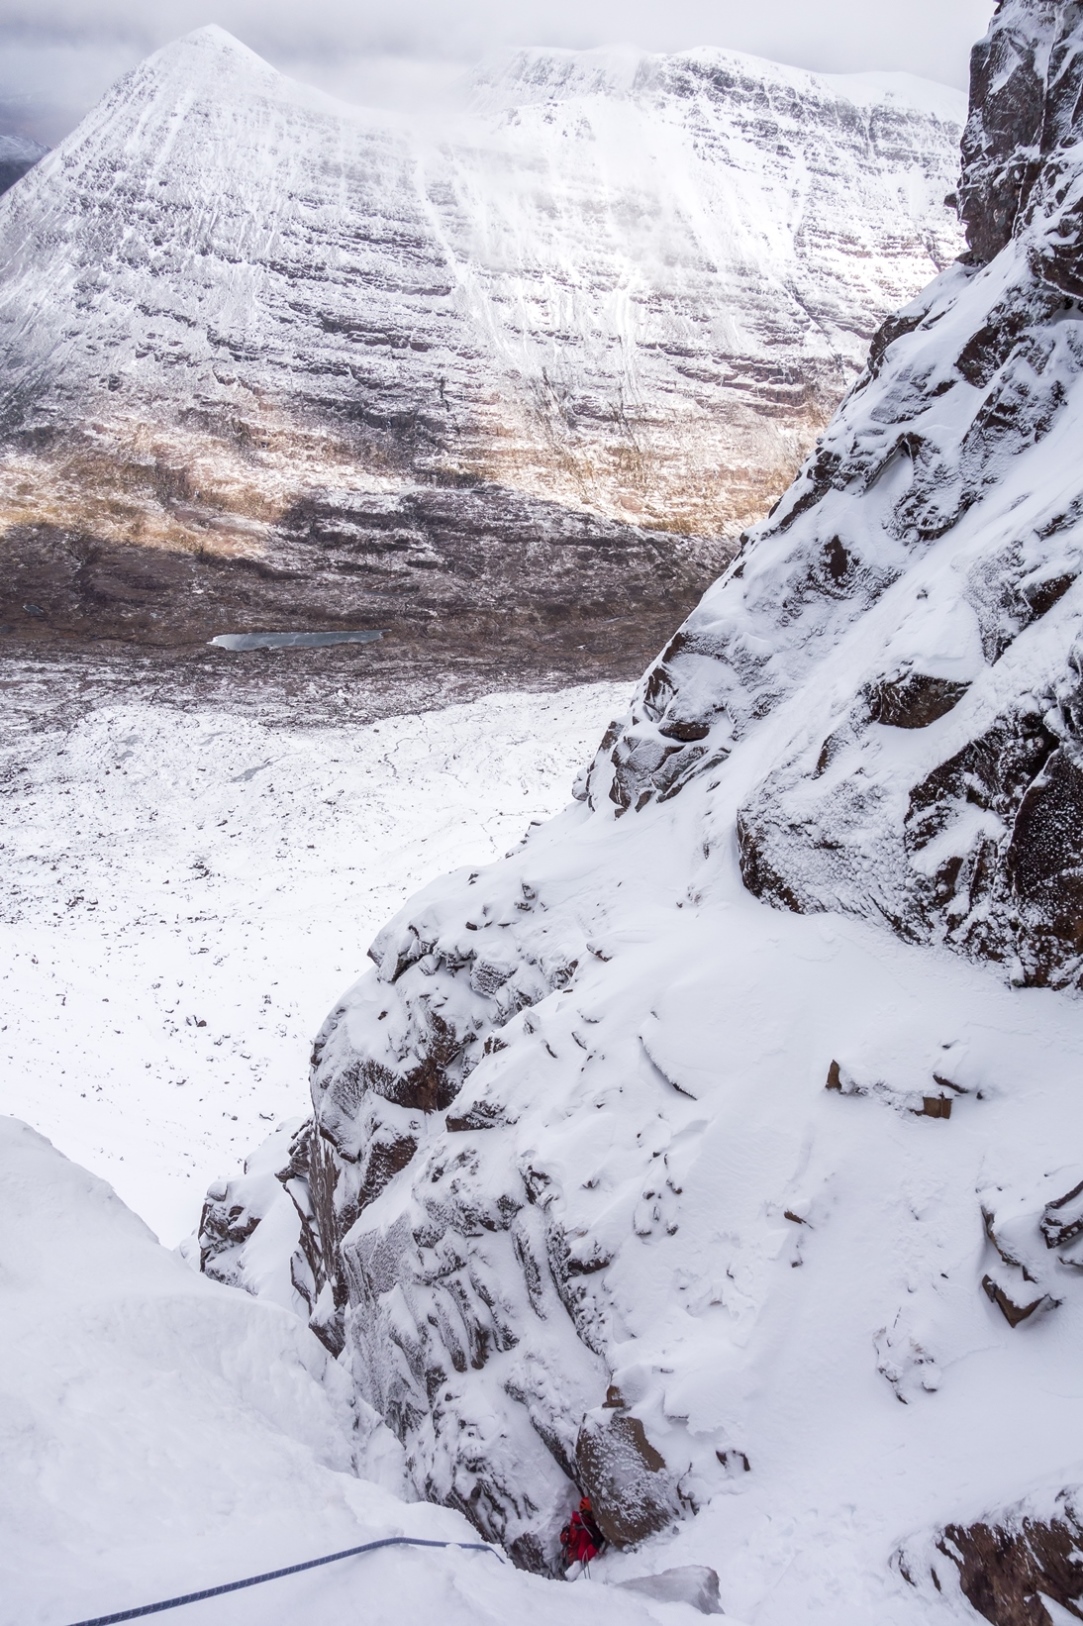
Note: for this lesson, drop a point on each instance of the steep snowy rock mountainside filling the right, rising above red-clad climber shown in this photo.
(721, 1150)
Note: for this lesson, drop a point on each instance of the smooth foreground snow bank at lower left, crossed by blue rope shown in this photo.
(162, 1435)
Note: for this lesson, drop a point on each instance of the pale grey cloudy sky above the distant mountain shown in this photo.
(59, 56)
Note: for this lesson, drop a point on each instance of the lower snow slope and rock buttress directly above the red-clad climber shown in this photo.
(651, 1186)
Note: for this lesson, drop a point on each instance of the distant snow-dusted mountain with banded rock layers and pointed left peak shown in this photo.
(520, 357)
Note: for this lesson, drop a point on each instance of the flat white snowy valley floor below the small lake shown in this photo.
(181, 895)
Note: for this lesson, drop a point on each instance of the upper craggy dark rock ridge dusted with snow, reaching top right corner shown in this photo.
(916, 593)
